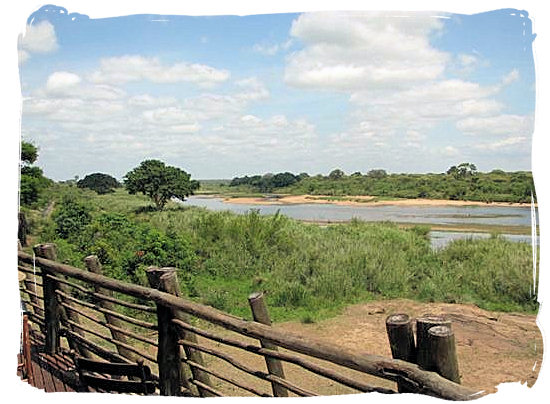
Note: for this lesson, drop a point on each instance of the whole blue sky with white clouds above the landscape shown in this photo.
(226, 96)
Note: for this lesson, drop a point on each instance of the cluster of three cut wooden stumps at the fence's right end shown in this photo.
(434, 349)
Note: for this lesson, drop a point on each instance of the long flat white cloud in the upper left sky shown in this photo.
(124, 69)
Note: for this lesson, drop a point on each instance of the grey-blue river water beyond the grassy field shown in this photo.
(442, 215)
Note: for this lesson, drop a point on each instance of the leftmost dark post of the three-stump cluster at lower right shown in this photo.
(401, 338)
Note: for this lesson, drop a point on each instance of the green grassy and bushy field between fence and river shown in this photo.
(308, 271)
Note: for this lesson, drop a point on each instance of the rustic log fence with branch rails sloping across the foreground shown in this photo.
(196, 350)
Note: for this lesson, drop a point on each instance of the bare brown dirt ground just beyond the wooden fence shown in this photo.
(492, 347)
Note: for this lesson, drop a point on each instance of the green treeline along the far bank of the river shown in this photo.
(461, 182)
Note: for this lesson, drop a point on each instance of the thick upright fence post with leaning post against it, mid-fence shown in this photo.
(165, 280)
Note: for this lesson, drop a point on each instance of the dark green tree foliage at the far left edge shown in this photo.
(33, 182)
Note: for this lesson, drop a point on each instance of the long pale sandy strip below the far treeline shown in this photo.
(358, 200)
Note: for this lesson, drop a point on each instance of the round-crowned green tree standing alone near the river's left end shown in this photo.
(160, 182)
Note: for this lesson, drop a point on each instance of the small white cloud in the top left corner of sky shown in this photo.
(38, 38)
